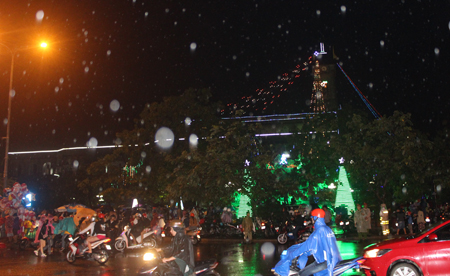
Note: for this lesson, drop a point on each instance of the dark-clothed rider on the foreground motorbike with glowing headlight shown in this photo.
(180, 249)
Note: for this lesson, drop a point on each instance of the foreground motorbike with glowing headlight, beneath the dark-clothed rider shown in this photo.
(155, 266)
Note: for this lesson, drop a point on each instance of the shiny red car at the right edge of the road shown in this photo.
(427, 253)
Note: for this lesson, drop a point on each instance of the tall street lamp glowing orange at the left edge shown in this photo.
(11, 94)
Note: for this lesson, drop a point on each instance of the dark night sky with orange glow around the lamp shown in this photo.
(136, 52)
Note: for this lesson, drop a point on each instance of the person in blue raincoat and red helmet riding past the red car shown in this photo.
(321, 244)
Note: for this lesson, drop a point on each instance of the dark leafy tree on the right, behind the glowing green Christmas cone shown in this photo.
(387, 159)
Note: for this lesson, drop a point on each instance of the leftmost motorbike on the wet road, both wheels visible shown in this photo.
(77, 249)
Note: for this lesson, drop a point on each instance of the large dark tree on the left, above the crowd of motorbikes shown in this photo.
(138, 168)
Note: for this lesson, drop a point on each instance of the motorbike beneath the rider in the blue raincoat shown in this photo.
(339, 269)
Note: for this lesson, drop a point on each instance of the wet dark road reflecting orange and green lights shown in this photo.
(235, 258)
